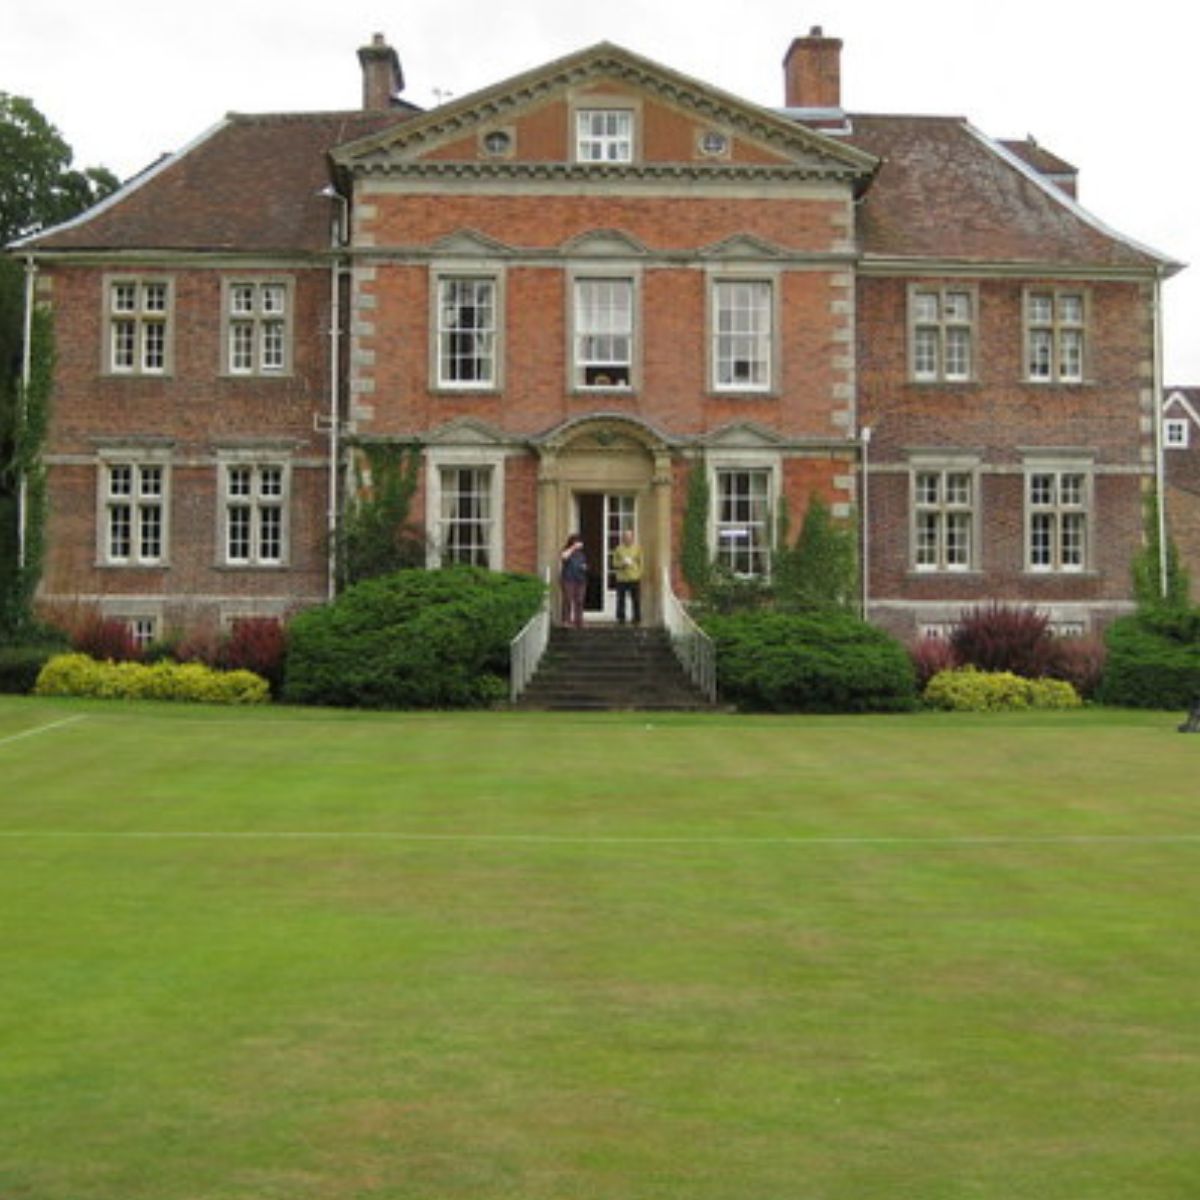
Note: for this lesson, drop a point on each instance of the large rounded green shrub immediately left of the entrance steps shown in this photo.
(412, 640)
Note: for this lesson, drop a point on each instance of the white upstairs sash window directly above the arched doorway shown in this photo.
(592, 327)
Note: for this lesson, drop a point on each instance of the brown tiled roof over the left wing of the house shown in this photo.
(250, 184)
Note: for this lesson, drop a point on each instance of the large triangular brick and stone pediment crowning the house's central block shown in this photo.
(523, 125)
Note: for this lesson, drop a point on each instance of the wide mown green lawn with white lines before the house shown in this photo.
(293, 955)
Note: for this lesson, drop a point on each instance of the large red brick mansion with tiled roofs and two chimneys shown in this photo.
(760, 284)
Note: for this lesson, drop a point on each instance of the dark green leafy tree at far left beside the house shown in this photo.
(39, 189)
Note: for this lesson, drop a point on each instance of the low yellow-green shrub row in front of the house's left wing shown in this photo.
(77, 675)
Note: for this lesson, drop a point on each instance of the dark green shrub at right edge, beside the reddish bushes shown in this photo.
(1154, 661)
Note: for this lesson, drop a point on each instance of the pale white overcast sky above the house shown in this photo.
(125, 81)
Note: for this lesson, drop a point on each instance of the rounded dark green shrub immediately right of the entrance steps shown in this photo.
(829, 663)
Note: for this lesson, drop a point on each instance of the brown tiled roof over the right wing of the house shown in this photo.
(947, 193)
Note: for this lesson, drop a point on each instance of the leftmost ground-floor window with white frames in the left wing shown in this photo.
(134, 512)
